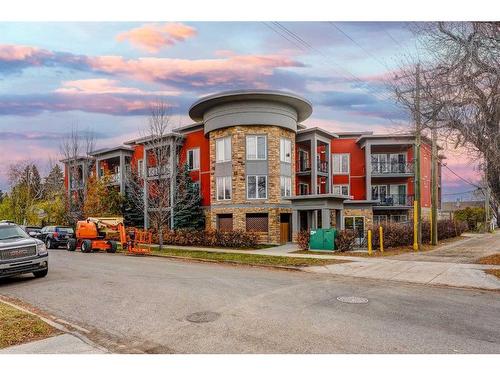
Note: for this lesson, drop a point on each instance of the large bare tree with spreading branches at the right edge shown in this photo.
(460, 88)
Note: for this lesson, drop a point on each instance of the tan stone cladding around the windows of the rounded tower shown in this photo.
(238, 149)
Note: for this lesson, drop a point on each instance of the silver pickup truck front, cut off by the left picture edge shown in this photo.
(20, 253)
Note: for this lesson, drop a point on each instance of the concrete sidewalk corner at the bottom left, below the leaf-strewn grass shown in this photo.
(60, 344)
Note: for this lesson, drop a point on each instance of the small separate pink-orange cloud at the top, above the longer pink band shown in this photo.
(153, 37)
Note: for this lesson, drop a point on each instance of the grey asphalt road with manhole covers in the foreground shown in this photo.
(135, 304)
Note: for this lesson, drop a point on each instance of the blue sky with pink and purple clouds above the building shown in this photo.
(102, 77)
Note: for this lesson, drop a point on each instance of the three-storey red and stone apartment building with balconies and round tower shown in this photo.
(260, 170)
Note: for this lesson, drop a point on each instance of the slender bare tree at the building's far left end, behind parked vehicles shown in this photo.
(75, 149)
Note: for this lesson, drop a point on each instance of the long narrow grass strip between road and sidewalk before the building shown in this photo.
(248, 259)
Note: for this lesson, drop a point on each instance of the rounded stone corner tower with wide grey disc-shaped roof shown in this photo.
(252, 158)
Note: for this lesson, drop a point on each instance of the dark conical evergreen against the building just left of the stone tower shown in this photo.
(188, 213)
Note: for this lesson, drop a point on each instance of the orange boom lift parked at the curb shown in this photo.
(98, 234)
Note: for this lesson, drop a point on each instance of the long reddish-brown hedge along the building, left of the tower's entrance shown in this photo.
(210, 238)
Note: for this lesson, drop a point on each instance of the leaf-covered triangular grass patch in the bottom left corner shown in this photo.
(18, 327)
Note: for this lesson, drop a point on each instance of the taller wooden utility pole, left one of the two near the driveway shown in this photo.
(418, 141)
